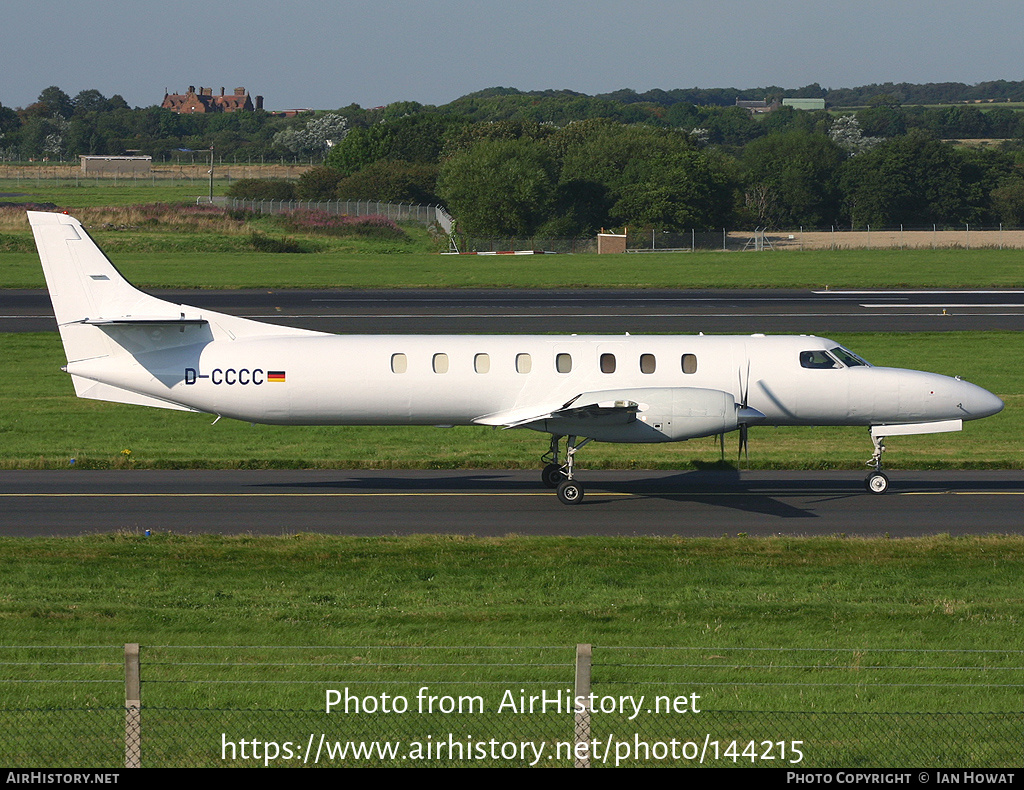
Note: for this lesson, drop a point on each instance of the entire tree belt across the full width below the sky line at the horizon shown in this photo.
(559, 163)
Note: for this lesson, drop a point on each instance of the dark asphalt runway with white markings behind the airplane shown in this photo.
(584, 312)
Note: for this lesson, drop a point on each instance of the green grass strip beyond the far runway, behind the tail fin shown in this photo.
(223, 263)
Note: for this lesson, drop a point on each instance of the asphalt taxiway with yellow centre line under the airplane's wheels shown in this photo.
(496, 504)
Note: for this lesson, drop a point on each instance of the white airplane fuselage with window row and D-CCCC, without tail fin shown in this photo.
(463, 380)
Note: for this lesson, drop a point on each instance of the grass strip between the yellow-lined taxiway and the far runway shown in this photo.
(42, 425)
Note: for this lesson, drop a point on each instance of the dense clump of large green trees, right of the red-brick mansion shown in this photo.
(522, 178)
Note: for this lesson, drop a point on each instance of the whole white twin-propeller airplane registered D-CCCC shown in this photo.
(129, 347)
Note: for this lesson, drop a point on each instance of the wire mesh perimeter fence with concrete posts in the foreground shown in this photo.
(180, 706)
